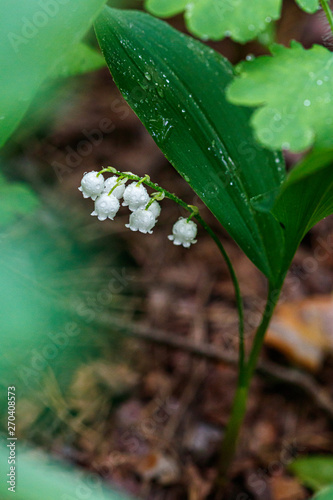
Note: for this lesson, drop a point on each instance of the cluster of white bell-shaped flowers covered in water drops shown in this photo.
(145, 210)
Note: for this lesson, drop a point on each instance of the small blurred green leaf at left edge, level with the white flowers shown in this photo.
(15, 200)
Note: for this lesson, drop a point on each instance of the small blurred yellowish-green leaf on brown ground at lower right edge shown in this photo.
(315, 472)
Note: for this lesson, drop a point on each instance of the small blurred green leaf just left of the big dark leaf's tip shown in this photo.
(79, 59)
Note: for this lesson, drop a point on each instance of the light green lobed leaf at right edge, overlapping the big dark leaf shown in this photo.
(299, 116)
